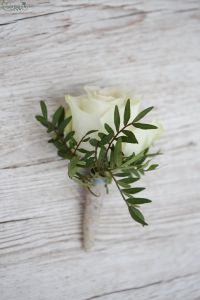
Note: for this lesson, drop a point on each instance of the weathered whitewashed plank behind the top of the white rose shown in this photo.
(137, 63)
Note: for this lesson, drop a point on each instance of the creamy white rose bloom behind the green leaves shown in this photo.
(95, 108)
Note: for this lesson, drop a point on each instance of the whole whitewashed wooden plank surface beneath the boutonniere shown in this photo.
(56, 47)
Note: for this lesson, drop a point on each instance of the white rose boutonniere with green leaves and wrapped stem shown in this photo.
(105, 140)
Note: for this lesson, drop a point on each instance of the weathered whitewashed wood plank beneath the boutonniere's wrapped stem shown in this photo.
(50, 231)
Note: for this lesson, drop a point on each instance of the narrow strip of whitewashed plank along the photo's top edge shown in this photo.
(39, 9)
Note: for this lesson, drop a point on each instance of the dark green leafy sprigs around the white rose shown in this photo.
(106, 159)
